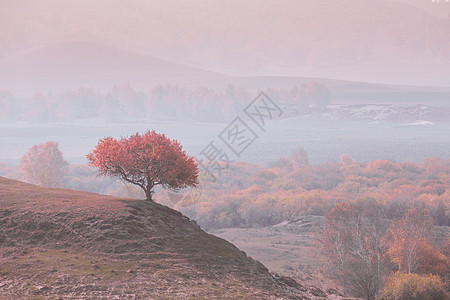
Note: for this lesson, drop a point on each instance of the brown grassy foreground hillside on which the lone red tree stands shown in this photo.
(62, 243)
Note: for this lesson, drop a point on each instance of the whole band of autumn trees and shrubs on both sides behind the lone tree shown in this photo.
(250, 195)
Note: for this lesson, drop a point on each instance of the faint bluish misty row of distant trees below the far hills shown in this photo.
(170, 102)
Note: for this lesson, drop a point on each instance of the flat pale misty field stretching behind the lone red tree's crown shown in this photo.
(324, 140)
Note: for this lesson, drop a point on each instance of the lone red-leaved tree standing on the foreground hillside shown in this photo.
(145, 160)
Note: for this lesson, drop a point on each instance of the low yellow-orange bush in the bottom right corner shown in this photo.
(402, 286)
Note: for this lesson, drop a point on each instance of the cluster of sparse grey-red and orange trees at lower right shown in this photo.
(360, 247)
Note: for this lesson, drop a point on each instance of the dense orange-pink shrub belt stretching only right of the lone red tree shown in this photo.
(298, 188)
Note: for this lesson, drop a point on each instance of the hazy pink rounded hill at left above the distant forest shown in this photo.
(87, 63)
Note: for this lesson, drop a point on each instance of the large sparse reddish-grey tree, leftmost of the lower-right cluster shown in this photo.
(352, 244)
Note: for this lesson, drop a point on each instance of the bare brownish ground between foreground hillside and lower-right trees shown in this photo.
(284, 248)
